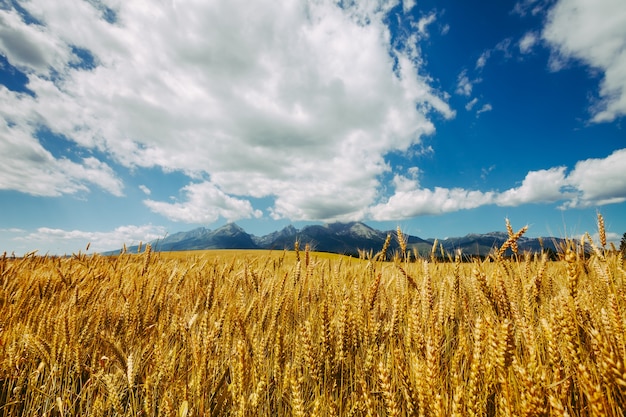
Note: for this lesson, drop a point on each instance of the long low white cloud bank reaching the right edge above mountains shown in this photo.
(592, 182)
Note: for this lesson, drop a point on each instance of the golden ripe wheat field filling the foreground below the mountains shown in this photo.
(301, 333)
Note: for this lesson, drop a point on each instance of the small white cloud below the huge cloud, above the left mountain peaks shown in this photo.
(205, 203)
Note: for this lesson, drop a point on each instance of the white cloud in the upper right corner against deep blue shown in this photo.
(594, 32)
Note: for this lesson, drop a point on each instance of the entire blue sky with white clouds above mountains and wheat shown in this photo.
(124, 121)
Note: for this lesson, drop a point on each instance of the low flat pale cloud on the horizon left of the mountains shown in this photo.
(77, 240)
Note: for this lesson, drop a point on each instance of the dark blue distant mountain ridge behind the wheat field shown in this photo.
(344, 238)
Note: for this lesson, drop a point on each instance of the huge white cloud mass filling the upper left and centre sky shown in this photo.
(295, 100)
